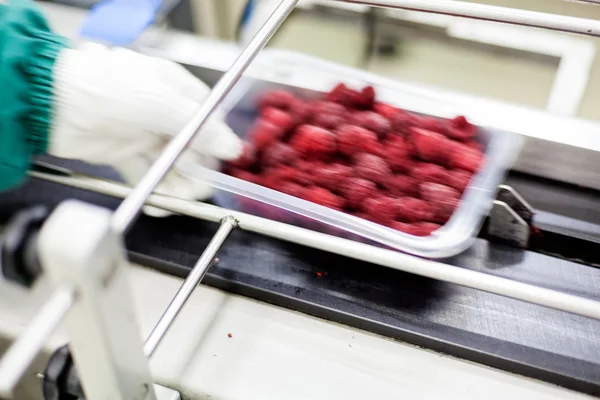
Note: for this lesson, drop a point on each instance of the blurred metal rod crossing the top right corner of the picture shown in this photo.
(492, 13)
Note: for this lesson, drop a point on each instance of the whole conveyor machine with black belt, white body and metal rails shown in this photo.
(522, 297)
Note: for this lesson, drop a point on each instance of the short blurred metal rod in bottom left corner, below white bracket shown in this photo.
(21, 354)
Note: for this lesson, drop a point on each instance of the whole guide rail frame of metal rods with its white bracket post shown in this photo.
(90, 287)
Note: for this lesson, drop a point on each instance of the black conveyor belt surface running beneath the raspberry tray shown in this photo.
(504, 333)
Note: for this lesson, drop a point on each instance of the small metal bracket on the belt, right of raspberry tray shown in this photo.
(510, 218)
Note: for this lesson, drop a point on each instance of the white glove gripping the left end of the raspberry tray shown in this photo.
(120, 108)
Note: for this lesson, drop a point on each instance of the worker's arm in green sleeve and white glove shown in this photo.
(97, 104)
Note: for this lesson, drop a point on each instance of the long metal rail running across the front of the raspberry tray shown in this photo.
(360, 251)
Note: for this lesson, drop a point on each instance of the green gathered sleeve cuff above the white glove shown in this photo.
(28, 51)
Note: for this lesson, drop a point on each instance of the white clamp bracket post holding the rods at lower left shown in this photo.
(79, 250)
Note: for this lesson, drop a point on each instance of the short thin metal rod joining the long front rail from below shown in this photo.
(187, 287)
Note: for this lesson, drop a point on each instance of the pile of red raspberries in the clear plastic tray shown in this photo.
(349, 152)
